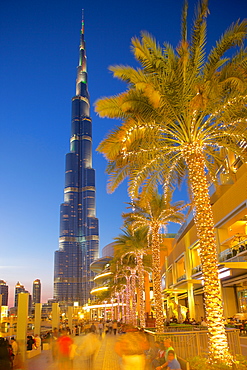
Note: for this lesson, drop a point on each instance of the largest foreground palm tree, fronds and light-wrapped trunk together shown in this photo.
(182, 113)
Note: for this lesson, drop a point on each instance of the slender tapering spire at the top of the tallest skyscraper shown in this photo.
(82, 67)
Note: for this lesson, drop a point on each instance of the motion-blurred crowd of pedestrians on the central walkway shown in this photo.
(136, 349)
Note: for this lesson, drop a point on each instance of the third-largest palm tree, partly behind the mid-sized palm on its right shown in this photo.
(134, 243)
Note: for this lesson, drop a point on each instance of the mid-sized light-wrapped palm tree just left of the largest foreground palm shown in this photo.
(155, 212)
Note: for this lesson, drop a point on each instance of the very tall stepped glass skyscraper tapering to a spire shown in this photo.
(79, 235)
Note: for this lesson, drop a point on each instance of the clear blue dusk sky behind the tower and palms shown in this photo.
(39, 55)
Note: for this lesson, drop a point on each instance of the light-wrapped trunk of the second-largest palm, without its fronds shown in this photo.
(159, 323)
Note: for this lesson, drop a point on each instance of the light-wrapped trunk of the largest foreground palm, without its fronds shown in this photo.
(203, 217)
